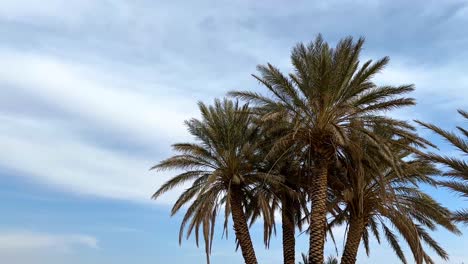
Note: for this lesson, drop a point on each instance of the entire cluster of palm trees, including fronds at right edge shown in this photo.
(319, 148)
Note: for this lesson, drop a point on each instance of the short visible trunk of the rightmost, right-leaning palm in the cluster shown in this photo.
(356, 229)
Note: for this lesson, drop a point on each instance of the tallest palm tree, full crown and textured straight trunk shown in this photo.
(327, 92)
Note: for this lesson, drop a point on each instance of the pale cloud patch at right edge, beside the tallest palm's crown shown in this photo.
(439, 89)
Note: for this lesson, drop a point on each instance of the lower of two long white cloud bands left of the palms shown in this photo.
(47, 154)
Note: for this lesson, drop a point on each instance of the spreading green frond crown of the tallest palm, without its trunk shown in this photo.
(328, 90)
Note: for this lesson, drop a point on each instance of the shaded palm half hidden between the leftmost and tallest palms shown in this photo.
(287, 197)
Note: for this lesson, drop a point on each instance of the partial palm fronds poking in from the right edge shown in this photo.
(458, 166)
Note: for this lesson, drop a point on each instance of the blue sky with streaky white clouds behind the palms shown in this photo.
(94, 92)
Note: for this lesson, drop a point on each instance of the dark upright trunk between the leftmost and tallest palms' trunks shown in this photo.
(289, 240)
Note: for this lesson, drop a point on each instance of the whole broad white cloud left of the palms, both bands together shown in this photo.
(55, 152)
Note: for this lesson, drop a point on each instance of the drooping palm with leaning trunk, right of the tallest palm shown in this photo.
(373, 193)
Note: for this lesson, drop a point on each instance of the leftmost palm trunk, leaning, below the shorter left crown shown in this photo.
(240, 226)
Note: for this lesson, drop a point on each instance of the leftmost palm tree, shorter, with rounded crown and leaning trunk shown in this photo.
(221, 165)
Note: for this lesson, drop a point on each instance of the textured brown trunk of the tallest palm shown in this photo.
(318, 194)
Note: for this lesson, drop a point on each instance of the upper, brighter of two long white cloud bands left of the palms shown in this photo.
(77, 90)
